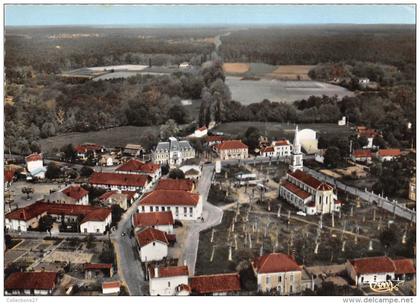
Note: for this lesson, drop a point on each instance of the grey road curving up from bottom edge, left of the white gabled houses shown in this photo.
(129, 265)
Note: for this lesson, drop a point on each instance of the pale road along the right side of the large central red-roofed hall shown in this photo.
(212, 217)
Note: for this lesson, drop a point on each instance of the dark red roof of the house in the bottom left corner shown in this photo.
(31, 280)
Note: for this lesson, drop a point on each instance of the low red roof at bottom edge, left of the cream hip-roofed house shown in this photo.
(216, 283)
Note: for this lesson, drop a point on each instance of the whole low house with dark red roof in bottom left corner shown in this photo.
(30, 283)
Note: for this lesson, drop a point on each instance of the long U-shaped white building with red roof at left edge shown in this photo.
(93, 219)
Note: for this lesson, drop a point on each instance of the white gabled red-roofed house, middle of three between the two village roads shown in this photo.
(152, 244)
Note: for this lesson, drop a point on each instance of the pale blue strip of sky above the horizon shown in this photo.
(210, 15)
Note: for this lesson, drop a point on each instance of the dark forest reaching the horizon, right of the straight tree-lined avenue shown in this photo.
(386, 44)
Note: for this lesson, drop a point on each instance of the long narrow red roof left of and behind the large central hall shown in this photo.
(118, 179)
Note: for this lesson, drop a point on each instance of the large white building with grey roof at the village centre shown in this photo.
(173, 152)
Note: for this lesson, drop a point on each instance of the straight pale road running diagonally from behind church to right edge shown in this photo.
(385, 203)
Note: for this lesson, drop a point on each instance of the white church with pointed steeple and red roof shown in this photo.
(304, 191)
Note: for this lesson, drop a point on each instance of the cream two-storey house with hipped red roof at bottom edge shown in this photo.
(278, 272)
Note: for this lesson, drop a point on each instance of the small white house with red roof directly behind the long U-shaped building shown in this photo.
(73, 194)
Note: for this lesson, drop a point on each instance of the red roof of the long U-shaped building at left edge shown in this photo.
(40, 208)
